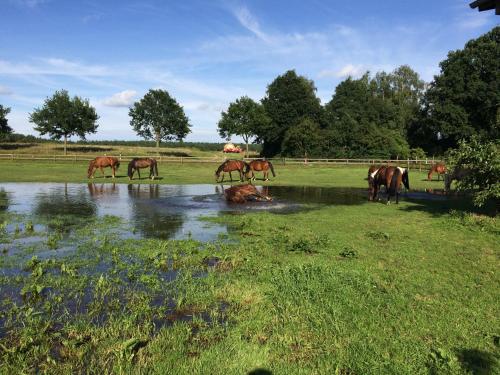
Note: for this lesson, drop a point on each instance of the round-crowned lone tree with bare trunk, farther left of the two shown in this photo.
(62, 117)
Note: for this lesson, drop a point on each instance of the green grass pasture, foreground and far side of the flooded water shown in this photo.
(355, 288)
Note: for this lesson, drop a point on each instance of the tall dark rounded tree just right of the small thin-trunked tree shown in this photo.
(289, 99)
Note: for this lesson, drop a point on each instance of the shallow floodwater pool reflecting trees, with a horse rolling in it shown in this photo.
(166, 211)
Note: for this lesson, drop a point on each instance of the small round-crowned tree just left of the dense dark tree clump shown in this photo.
(245, 118)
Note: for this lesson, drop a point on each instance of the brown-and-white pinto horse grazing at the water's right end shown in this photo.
(391, 178)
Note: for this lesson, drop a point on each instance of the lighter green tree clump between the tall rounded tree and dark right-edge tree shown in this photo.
(368, 117)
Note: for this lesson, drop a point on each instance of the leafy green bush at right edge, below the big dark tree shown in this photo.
(482, 159)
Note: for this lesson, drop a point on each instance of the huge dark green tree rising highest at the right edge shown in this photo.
(464, 99)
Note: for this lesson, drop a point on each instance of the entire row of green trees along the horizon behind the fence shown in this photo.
(381, 115)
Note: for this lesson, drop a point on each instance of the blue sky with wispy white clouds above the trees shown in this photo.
(208, 53)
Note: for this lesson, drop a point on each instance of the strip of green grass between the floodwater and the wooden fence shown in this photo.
(198, 173)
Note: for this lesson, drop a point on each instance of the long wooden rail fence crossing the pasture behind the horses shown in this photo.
(410, 163)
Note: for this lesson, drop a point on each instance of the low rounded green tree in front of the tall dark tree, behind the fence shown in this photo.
(303, 139)
